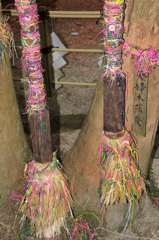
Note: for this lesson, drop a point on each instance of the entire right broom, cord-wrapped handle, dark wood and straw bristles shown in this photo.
(120, 177)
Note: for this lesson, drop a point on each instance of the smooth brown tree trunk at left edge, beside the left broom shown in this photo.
(14, 149)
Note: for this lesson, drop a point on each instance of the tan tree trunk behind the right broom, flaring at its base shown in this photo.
(82, 162)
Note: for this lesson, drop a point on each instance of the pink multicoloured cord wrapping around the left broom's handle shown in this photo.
(31, 56)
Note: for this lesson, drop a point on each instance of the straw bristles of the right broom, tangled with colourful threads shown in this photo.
(120, 177)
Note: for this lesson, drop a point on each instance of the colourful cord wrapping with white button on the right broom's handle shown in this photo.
(113, 39)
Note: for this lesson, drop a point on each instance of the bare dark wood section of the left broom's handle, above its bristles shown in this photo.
(41, 137)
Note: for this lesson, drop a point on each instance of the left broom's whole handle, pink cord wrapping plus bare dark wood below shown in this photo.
(31, 56)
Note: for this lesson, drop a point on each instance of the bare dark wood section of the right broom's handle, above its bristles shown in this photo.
(114, 106)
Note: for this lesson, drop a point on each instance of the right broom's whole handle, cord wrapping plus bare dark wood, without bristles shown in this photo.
(114, 80)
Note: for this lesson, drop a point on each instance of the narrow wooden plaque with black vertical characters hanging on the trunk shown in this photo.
(140, 91)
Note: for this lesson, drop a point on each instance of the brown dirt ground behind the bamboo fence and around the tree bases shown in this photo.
(73, 100)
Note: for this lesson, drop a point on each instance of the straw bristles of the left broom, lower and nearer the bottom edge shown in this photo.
(47, 199)
